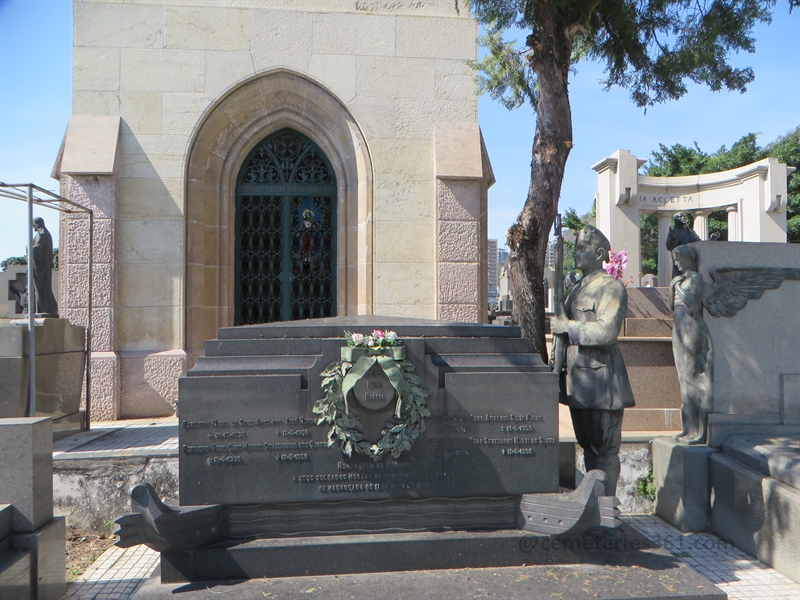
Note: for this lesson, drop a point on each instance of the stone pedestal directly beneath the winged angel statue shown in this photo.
(681, 475)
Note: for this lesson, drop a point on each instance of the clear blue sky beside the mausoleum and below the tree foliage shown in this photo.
(35, 105)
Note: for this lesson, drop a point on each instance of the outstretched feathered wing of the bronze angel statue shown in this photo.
(733, 287)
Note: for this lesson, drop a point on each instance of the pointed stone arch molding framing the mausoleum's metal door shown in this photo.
(230, 130)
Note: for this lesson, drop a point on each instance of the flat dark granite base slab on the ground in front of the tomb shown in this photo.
(620, 564)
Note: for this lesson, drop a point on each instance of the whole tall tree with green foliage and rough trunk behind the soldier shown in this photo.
(653, 48)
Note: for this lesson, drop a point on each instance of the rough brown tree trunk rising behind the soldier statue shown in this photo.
(528, 237)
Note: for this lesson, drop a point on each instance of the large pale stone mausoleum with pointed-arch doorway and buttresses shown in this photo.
(260, 160)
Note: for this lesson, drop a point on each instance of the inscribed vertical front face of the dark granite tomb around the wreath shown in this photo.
(253, 439)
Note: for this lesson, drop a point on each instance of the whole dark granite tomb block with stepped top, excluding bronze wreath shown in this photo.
(248, 433)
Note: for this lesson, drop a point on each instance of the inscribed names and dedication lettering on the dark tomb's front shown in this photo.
(287, 442)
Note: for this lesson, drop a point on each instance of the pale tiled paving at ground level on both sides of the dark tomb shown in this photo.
(118, 573)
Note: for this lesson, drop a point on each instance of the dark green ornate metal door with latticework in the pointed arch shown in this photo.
(285, 262)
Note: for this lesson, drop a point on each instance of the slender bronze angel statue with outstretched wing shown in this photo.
(692, 348)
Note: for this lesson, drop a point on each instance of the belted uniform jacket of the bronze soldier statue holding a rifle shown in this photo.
(596, 375)
